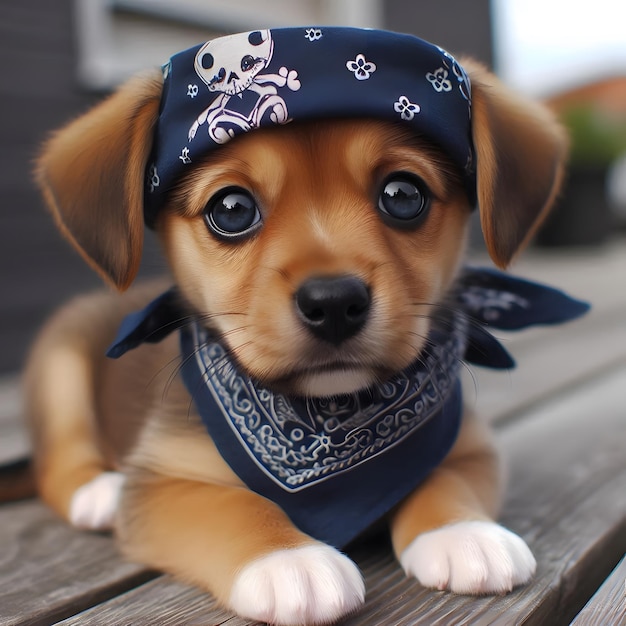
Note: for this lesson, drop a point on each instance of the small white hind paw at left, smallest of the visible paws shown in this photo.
(94, 504)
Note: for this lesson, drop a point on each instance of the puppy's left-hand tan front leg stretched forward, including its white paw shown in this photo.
(239, 546)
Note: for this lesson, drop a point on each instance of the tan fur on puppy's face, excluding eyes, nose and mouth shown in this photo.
(315, 228)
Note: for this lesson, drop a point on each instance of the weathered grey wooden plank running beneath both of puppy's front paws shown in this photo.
(566, 499)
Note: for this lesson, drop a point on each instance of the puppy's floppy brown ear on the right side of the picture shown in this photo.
(521, 152)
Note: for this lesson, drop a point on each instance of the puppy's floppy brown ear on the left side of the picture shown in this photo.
(92, 177)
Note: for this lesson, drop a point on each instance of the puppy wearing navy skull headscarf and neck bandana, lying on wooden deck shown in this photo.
(315, 228)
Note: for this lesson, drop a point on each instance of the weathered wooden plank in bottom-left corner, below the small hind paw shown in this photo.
(49, 570)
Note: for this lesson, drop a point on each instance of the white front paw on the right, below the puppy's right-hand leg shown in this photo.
(471, 558)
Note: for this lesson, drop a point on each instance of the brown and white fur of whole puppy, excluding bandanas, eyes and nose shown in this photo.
(317, 185)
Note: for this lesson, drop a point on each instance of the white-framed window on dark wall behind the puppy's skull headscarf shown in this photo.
(117, 38)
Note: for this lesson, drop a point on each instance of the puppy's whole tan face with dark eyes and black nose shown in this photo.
(318, 251)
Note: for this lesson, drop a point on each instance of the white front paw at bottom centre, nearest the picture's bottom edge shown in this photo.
(314, 584)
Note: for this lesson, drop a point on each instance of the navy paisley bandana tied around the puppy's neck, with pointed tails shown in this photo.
(337, 465)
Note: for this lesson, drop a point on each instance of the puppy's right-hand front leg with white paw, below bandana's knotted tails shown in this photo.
(444, 533)
